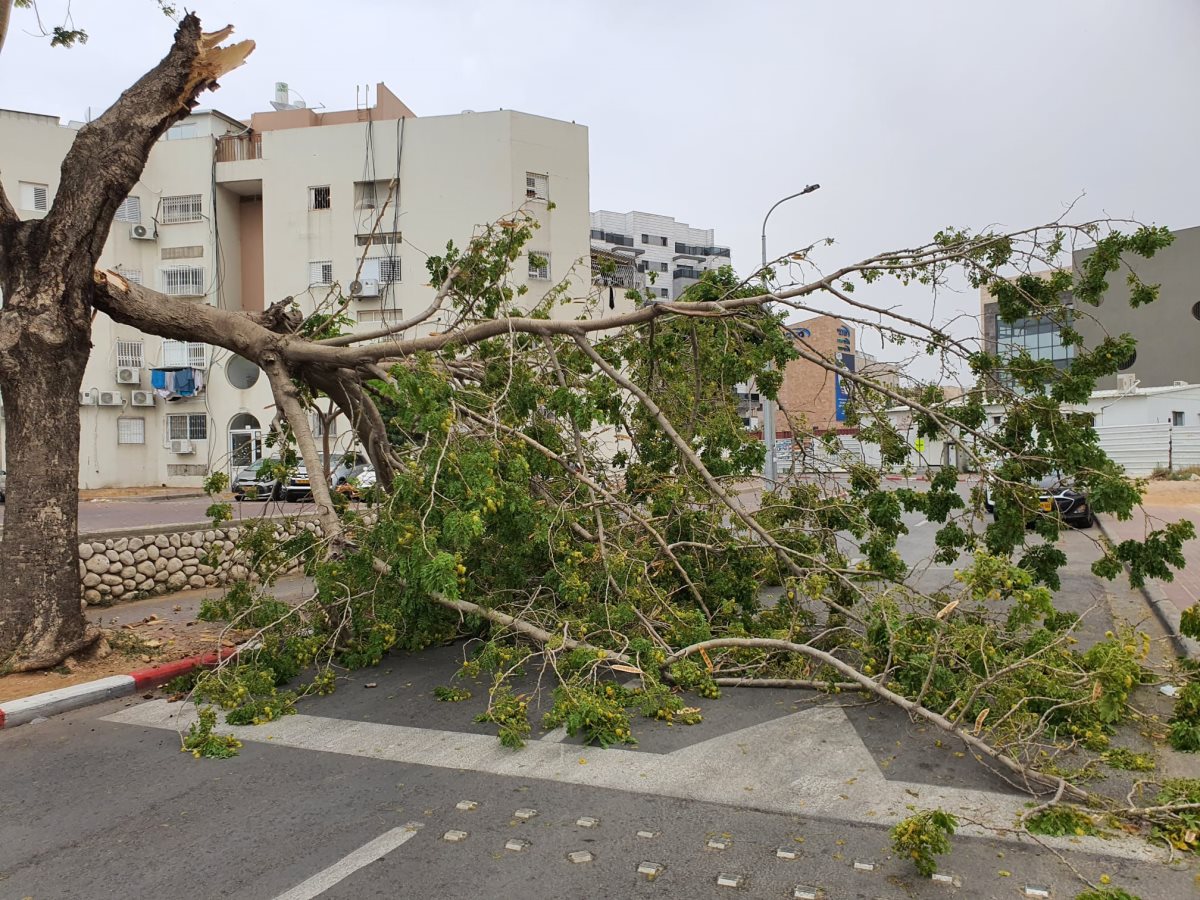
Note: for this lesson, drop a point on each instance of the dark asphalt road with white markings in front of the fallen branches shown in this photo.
(381, 791)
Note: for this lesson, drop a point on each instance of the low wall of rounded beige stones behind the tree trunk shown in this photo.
(129, 568)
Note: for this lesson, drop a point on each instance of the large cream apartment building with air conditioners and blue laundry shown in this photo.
(293, 205)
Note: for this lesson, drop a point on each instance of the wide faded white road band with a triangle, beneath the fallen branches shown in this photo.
(809, 763)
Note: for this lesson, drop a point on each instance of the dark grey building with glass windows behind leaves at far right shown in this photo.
(1167, 331)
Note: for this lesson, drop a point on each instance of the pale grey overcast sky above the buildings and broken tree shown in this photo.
(911, 116)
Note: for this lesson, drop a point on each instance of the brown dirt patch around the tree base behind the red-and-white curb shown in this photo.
(134, 646)
